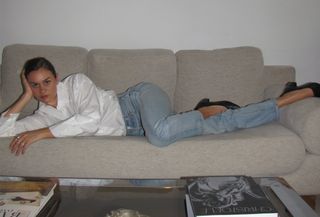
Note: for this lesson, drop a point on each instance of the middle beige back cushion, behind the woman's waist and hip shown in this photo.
(118, 69)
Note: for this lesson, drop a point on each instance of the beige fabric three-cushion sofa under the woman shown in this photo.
(289, 148)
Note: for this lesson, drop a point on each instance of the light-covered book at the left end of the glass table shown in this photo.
(27, 198)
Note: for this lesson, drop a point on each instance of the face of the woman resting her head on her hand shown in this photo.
(44, 86)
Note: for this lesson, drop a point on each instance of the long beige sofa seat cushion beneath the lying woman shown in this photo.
(268, 150)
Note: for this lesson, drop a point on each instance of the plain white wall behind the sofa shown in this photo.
(287, 31)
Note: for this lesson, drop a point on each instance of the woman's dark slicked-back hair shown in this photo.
(38, 63)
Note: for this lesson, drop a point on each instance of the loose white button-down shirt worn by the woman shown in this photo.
(83, 109)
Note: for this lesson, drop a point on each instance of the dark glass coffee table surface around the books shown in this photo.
(152, 198)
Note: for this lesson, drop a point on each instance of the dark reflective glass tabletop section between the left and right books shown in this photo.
(100, 197)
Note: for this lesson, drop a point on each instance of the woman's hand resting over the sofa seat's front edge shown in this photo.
(22, 141)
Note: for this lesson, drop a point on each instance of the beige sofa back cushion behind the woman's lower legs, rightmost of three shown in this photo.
(234, 74)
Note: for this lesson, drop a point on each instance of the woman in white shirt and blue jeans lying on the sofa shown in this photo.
(77, 107)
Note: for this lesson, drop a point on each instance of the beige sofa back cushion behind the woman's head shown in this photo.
(67, 60)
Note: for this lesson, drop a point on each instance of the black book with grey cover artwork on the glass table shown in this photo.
(224, 196)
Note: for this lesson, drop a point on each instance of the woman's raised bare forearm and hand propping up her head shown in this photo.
(23, 100)
